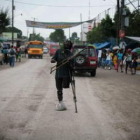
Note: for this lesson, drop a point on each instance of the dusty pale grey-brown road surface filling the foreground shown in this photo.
(108, 105)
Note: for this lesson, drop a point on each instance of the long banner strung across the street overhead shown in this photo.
(53, 25)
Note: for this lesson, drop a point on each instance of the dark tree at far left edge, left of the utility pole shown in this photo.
(4, 19)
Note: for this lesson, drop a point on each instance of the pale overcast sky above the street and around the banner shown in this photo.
(56, 11)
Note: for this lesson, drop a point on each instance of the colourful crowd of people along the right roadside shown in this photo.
(119, 60)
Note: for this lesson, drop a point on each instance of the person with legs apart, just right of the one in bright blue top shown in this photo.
(128, 58)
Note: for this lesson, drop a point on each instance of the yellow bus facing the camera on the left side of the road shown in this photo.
(35, 49)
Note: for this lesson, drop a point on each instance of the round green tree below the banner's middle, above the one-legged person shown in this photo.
(57, 36)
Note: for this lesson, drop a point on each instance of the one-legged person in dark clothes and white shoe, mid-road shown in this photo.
(63, 73)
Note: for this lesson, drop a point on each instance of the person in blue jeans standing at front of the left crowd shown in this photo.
(12, 53)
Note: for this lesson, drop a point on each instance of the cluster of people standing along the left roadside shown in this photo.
(11, 55)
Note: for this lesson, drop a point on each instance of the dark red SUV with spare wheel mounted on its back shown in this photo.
(86, 61)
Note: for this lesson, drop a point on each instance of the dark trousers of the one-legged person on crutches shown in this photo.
(60, 84)
